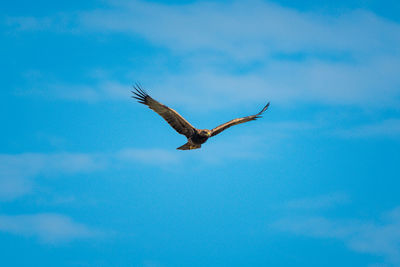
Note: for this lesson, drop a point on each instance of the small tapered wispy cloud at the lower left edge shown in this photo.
(47, 227)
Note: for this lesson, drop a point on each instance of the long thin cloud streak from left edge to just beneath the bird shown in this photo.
(19, 172)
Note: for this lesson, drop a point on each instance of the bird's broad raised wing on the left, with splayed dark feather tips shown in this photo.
(177, 122)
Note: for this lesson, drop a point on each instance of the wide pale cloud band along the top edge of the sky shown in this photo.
(244, 29)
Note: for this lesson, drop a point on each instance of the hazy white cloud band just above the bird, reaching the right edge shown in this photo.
(288, 83)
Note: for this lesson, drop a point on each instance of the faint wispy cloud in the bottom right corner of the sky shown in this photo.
(379, 237)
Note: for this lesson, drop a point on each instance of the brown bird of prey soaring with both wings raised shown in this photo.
(195, 137)
